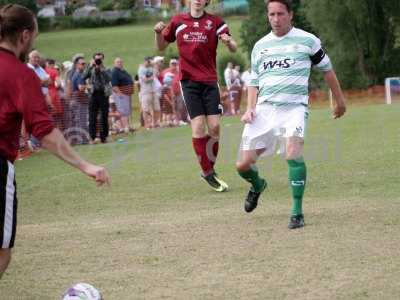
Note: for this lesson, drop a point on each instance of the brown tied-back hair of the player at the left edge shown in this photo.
(14, 19)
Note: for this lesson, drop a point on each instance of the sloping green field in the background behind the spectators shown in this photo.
(132, 43)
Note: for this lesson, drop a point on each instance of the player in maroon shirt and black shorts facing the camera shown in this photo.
(196, 34)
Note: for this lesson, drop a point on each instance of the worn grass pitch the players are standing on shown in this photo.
(160, 233)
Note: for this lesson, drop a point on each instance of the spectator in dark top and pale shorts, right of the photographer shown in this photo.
(123, 88)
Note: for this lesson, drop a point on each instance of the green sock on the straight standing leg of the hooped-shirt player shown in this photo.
(297, 180)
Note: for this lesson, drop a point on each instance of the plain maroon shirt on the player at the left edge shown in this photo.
(21, 98)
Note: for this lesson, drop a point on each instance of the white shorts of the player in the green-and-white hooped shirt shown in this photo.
(272, 126)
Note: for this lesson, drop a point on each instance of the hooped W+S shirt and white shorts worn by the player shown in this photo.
(280, 69)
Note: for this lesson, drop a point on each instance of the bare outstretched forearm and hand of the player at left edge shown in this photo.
(55, 143)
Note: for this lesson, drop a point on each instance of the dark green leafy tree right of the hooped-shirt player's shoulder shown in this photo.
(360, 36)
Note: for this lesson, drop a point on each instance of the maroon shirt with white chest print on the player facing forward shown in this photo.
(197, 41)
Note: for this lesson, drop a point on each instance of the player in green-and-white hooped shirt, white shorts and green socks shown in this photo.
(277, 110)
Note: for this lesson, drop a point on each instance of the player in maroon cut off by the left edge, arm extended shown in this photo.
(21, 98)
